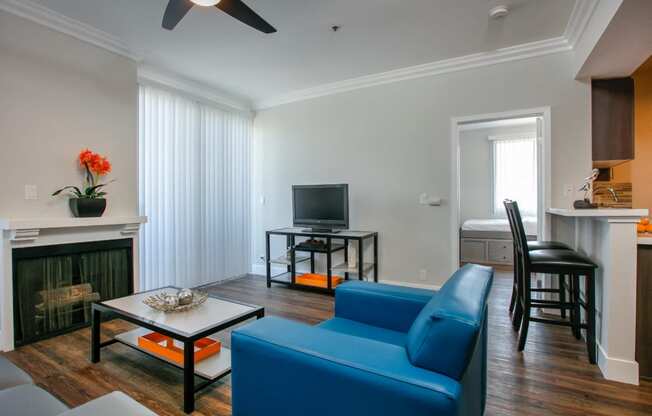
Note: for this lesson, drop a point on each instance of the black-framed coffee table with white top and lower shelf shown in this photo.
(214, 315)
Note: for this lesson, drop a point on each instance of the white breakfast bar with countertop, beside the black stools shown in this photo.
(608, 236)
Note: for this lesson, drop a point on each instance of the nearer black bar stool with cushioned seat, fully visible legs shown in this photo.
(555, 262)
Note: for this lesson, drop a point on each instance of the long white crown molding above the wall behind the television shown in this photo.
(512, 53)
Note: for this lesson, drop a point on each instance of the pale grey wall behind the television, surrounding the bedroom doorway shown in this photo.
(392, 142)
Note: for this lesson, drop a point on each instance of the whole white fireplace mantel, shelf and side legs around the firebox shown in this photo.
(32, 232)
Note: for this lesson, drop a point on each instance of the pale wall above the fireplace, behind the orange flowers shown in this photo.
(57, 96)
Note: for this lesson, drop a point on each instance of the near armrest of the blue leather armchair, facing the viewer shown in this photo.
(295, 369)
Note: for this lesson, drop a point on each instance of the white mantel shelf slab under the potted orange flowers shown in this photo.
(34, 223)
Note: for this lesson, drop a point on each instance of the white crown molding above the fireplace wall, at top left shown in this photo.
(37, 13)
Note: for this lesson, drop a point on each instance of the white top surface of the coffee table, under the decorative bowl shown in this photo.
(211, 313)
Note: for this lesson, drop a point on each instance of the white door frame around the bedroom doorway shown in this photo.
(544, 167)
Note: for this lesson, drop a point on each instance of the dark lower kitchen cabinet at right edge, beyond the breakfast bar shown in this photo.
(644, 311)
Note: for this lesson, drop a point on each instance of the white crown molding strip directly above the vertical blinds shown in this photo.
(196, 90)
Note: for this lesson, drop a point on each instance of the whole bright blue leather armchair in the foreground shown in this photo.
(389, 350)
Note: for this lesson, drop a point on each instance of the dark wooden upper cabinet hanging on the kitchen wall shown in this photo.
(612, 106)
